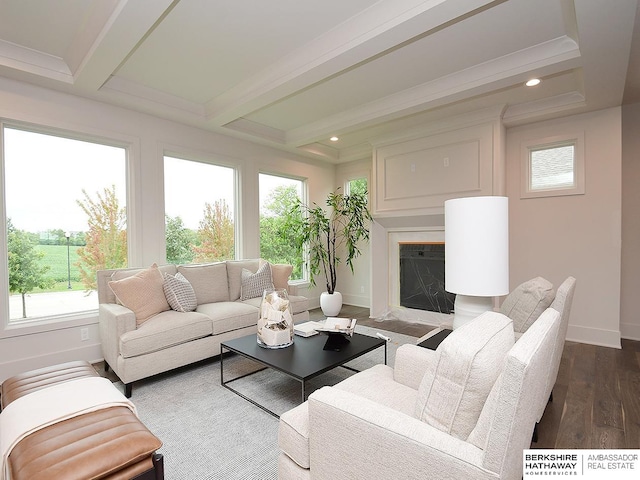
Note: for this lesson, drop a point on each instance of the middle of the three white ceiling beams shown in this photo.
(378, 29)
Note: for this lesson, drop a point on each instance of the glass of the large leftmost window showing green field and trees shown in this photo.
(66, 218)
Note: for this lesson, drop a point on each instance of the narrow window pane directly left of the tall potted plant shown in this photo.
(277, 194)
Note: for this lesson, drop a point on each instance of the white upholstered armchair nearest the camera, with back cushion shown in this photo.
(418, 419)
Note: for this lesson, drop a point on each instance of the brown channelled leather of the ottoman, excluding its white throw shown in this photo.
(110, 443)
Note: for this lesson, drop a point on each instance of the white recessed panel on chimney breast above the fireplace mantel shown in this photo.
(419, 175)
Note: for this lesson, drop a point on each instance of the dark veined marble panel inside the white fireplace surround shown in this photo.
(422, 277)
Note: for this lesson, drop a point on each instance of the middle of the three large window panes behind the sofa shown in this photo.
(199, 211)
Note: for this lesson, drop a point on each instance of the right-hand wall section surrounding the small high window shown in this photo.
(577, 235)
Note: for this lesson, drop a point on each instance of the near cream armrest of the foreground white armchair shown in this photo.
(354, 437)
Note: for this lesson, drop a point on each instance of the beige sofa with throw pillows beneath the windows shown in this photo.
(136, 345)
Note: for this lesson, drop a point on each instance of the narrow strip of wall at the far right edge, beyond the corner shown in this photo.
(629, 317)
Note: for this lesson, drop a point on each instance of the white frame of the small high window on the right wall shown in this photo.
(578, 188)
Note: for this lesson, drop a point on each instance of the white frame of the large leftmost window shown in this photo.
(131, 147)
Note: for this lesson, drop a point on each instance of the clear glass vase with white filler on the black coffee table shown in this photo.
(275, 325)
